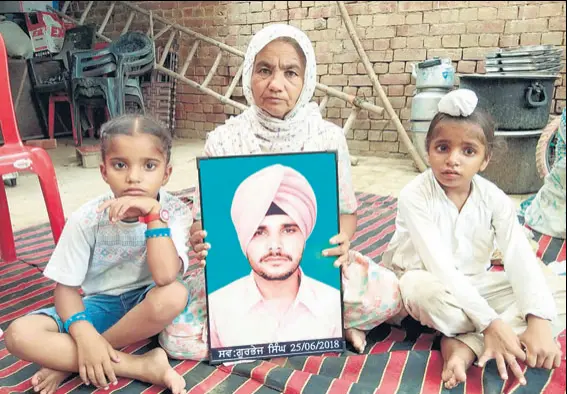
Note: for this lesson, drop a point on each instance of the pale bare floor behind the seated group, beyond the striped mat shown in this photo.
(77, 185)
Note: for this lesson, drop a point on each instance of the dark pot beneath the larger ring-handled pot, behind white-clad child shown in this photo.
(514, 169)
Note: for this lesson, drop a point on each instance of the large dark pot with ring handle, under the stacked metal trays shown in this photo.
(516, 102)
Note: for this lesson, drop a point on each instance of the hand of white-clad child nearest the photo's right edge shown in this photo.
(542, 351)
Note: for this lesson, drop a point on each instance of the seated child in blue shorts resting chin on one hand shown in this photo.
(126, 250)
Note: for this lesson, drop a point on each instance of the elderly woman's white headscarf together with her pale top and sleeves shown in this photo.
(303, 128)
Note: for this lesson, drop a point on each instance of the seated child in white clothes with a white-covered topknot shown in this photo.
(448, 221)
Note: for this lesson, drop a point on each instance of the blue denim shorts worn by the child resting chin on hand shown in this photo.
(103, 310)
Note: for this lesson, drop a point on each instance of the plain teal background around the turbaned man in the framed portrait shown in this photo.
(219, 178)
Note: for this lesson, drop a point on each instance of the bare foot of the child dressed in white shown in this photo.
(458, 358)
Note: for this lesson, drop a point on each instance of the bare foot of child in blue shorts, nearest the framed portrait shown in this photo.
(159, 372)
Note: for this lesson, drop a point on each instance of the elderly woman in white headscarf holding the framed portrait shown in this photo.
(279, 79)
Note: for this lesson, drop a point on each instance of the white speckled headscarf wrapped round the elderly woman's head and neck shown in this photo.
(304, 120)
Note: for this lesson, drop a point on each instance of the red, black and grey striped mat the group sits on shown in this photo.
(395, 360)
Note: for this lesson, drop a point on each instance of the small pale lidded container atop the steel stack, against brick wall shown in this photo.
(434, 73)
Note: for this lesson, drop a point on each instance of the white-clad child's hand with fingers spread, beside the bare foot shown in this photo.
(502, 344)
